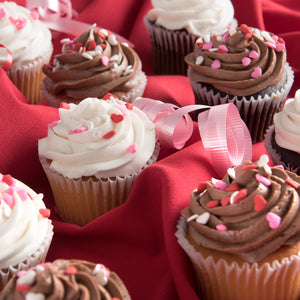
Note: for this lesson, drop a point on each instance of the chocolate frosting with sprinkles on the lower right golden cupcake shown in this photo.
(251, 212)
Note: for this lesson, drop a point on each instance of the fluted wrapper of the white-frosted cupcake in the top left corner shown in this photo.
(28, 77)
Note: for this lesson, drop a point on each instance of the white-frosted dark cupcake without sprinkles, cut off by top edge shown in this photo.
(174, 27)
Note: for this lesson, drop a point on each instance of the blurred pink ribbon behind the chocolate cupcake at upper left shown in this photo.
(58, 15)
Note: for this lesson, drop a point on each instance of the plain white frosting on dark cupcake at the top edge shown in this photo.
(196, 16)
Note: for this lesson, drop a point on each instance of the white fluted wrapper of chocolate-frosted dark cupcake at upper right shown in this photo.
(257, 113)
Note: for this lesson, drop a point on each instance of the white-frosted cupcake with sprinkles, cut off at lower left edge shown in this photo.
(26, 230)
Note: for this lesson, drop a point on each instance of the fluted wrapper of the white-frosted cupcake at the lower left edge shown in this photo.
(39, 256)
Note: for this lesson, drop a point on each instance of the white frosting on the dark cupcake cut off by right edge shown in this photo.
(287, 124)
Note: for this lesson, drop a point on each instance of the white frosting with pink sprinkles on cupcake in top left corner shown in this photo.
(26, 38)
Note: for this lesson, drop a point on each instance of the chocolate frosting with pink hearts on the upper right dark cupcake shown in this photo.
(241, 62)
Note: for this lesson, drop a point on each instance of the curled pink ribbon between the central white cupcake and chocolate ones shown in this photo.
(224, 134)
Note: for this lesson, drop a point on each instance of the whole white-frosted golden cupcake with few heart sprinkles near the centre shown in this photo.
(93, 154)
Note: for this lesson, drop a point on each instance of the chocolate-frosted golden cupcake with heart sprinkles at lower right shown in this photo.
(241, 234)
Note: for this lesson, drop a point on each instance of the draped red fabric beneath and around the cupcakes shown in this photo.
(136, 239)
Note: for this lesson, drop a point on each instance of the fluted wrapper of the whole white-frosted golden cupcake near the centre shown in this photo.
(81, 200)
